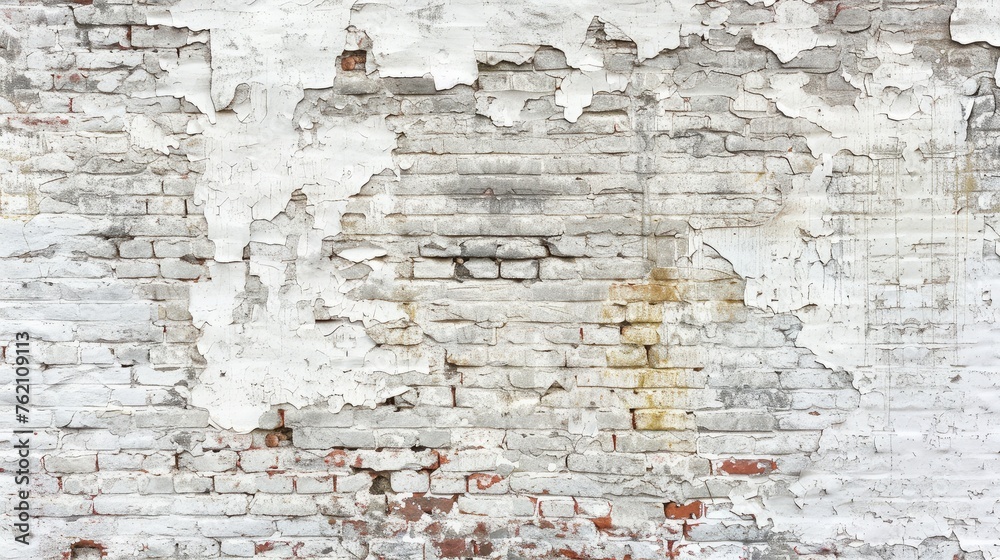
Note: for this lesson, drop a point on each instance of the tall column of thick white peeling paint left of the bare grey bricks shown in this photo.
(256, 160)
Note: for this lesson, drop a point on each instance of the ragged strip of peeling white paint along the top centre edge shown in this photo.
(441, 39)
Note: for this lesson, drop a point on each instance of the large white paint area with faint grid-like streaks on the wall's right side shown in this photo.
(908, 263)
